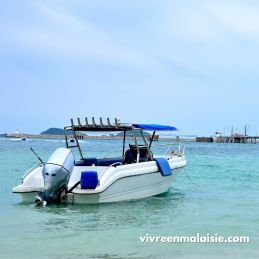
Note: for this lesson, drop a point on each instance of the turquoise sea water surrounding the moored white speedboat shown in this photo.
(222, 198)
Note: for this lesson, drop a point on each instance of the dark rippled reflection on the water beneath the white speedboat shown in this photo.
(99, 217)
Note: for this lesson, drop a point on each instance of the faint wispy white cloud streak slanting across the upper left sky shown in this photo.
(58, 31)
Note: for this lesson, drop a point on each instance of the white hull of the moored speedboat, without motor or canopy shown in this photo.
(120, 183)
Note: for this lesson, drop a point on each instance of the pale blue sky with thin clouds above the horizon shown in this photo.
(190, 64)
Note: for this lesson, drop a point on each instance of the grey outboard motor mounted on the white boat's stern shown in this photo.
(56, 173)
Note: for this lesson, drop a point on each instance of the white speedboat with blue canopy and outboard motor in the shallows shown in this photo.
(137, 173)
